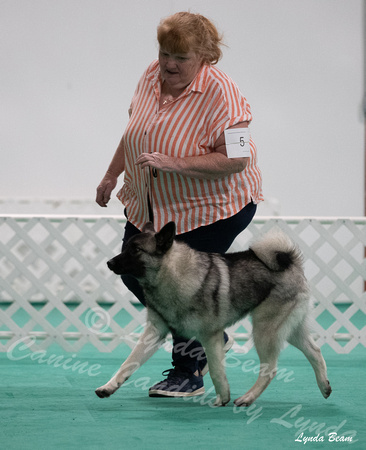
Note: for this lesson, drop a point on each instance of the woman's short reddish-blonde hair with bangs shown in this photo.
(184, 32)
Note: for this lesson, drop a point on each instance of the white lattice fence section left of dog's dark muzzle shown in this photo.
(53, 270)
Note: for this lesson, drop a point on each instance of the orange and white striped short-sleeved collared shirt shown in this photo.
(188, 126)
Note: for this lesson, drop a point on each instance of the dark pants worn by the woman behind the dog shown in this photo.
(214, 238)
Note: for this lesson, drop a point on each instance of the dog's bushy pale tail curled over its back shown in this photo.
(277, 251)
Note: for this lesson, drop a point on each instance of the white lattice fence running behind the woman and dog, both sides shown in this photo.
(55, 286)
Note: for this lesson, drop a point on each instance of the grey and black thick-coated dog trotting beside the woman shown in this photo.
(197, 294)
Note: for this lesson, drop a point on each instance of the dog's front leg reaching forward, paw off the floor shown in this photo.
(146, 346)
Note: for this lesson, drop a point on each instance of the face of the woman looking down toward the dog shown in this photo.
(179, 70)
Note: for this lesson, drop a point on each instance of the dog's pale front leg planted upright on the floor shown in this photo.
(214, 348)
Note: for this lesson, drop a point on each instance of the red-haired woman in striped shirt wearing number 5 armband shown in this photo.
(177, 163)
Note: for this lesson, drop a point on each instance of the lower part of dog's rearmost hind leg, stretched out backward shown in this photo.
(301, 339)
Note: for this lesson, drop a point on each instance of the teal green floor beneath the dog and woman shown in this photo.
(44, 404)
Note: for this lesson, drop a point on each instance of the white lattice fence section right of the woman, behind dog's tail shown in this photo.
(335, 265)
